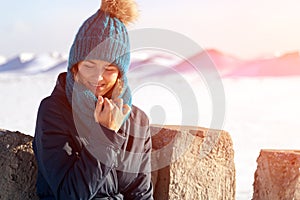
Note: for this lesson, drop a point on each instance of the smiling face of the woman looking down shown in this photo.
(98, 76)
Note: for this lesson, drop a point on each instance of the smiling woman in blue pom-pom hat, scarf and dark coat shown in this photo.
(90, 142)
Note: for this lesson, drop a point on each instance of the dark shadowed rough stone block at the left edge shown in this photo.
(17, 166)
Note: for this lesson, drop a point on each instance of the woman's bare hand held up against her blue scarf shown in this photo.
(111, 113)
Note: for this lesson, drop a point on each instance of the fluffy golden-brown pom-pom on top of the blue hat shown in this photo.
(125, 10)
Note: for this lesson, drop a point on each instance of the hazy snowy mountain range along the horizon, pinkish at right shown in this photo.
(227, 65)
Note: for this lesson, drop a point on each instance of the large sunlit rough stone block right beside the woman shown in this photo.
(200, 163)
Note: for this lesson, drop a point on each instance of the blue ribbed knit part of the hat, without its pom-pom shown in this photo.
(102, 37)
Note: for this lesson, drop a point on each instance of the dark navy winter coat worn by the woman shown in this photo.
(68, 165)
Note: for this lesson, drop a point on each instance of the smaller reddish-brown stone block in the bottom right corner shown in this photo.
(277, 175)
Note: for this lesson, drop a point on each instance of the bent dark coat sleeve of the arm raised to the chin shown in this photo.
(71, 172)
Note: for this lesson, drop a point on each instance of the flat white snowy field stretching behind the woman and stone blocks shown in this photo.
(261, 113)
